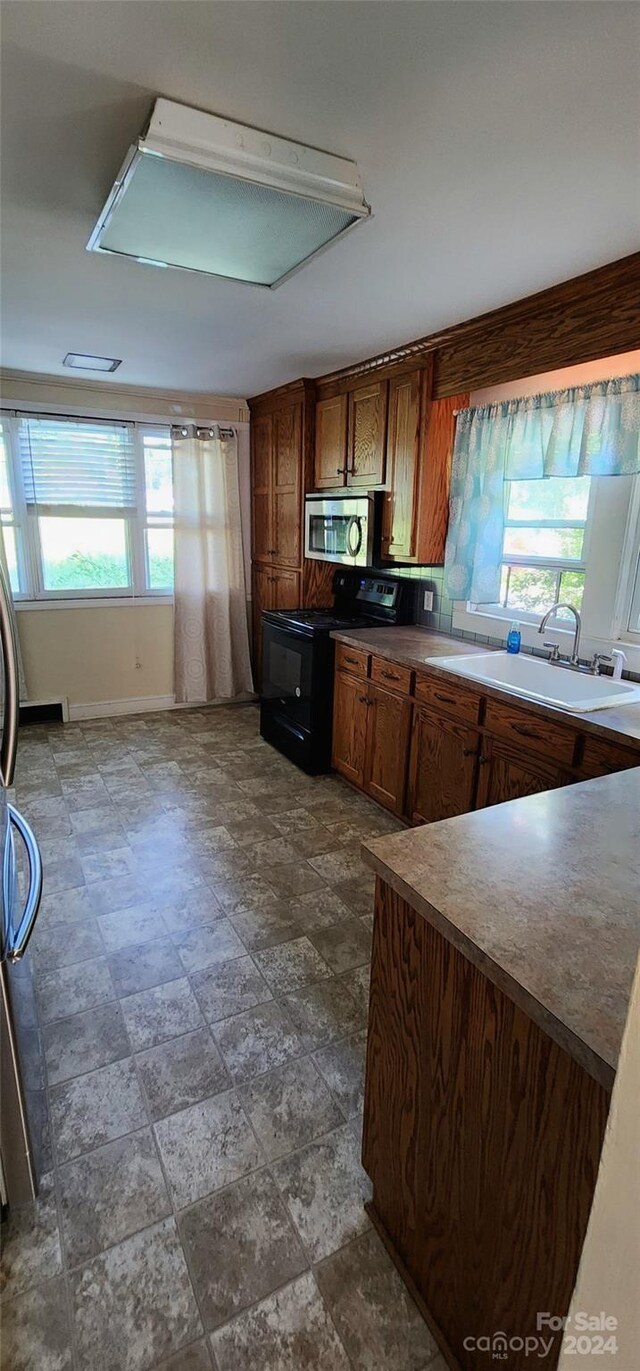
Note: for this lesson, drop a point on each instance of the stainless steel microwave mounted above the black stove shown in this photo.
(341, 529)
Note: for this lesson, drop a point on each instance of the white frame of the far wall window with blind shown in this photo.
(29, 552)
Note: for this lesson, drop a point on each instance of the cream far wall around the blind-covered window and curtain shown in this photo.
(113, 655)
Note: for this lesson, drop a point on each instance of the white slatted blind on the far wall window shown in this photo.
(77, 464)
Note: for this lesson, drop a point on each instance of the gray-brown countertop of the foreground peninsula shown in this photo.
(543, 896)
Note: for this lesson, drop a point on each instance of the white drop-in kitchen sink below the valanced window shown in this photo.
(535, 679)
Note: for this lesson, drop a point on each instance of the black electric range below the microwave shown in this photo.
(298, 653)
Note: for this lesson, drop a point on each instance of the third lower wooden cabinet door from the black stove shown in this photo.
(442, 774)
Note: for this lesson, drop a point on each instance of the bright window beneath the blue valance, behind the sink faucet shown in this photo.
(545, 544)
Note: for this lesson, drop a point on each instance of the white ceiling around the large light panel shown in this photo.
(498, 146)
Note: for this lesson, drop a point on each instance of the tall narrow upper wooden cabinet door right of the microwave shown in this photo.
(401, 507)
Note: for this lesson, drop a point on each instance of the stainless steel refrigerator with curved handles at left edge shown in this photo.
(24, 1117)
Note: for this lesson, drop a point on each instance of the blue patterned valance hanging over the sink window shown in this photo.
(586, 431)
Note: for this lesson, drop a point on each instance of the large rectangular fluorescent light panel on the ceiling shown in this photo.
(209, 195)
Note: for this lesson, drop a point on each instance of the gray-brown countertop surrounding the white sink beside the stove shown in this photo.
(415, 646)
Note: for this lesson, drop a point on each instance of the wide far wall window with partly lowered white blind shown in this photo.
(93, 508)
